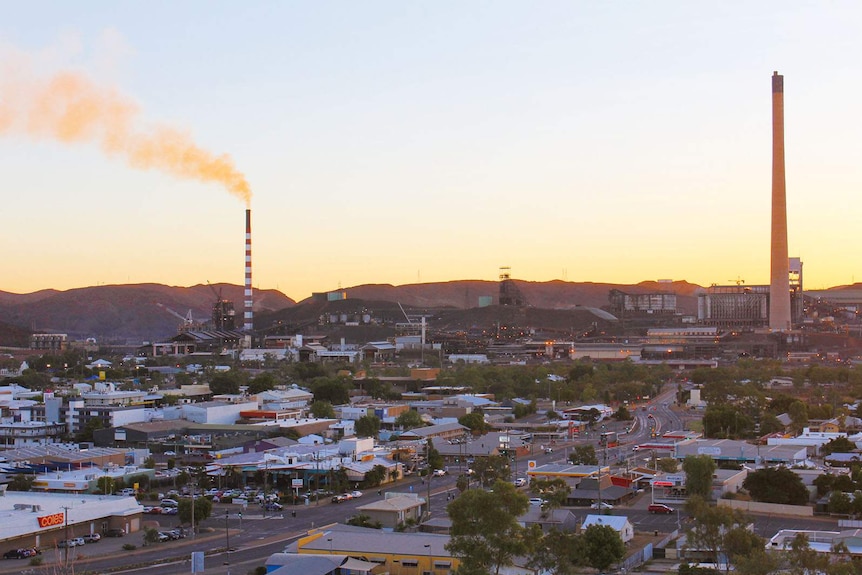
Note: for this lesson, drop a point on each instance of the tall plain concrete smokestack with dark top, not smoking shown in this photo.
(779, 285)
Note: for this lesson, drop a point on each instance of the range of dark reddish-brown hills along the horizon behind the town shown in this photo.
(139, 312)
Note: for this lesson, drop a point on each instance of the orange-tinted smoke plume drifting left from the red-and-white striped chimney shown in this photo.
(70, 108)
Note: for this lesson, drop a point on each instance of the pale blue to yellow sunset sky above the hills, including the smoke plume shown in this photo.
(412, 142)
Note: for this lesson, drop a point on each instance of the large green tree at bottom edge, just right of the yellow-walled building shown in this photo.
(485, 534)
